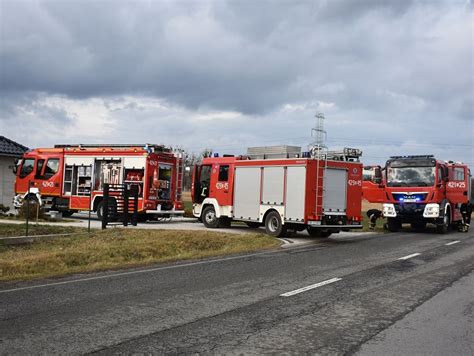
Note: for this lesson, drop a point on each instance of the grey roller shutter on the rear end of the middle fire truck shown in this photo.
(335, 192)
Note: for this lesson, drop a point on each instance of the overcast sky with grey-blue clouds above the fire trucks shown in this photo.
(391, 77)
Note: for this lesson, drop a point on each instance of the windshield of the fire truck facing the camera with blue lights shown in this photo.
(410, 176)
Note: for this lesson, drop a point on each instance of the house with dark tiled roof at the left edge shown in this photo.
(9, 151)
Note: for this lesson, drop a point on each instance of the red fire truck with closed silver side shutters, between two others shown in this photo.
(320, 195)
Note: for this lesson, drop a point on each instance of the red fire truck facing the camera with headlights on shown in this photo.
(419, 190)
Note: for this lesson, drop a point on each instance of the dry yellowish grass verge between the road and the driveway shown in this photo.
(120, 248)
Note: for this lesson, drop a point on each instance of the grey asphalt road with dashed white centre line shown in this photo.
(369, 302)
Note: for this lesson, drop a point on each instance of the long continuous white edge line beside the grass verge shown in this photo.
(139, 271)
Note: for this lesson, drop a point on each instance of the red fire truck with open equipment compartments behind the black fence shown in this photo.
(68, 178)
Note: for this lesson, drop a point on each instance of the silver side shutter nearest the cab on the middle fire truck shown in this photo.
(247, 193)
